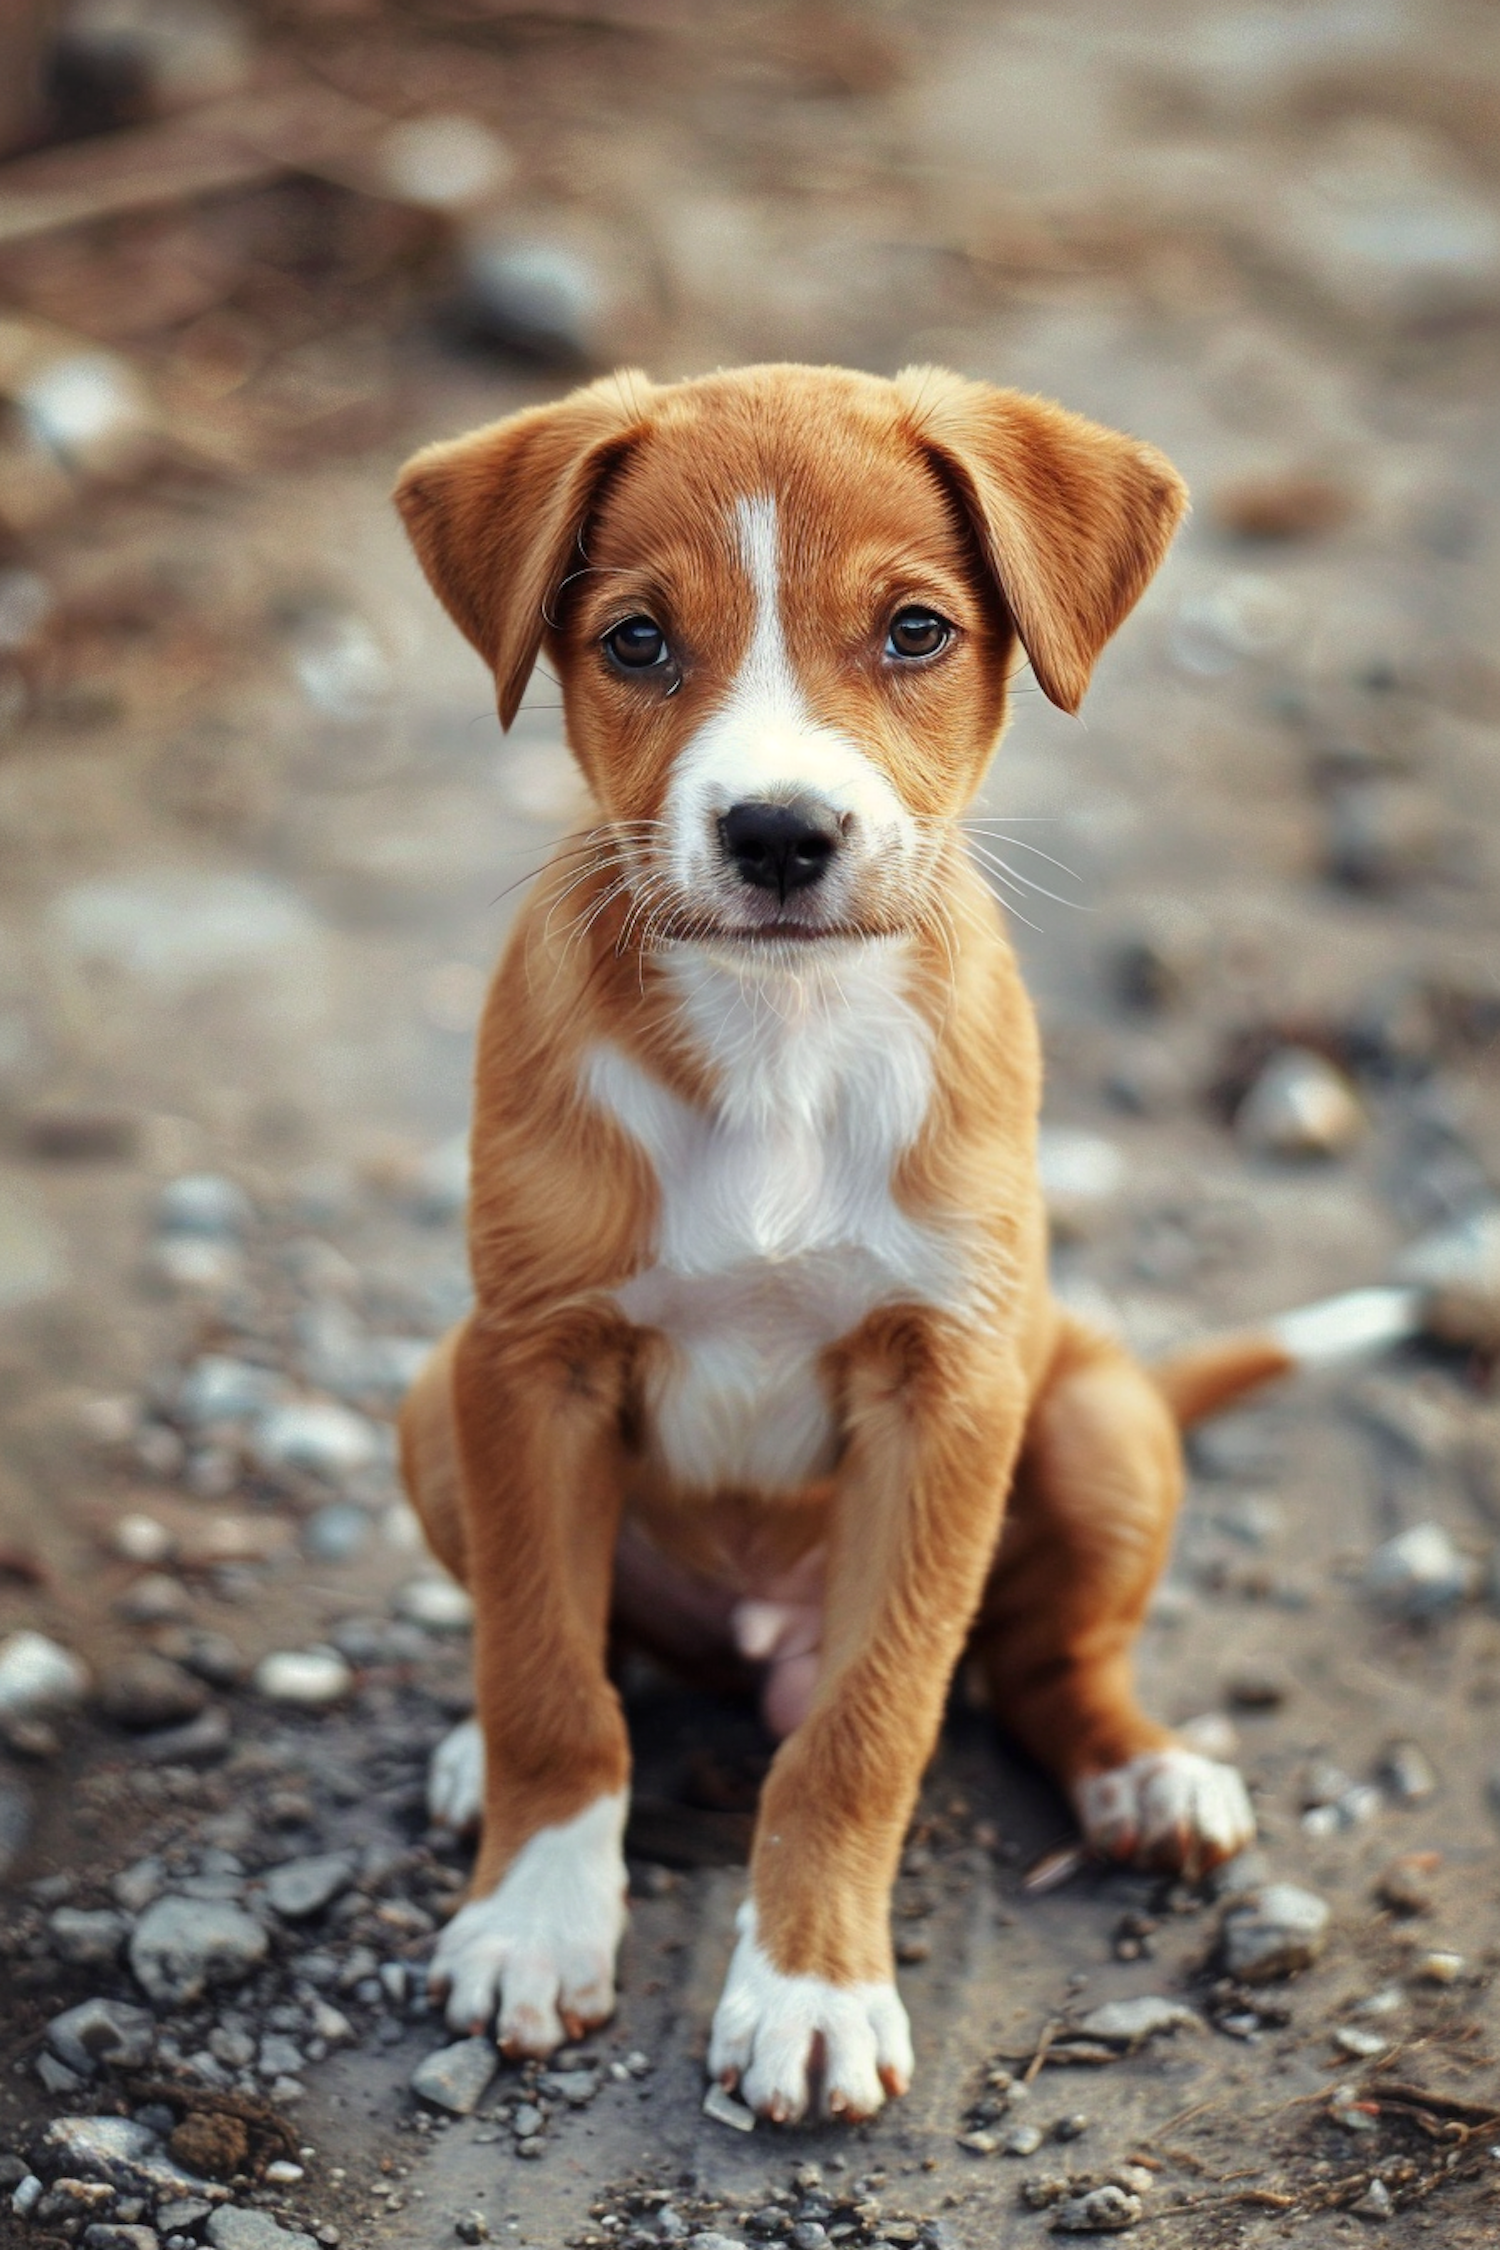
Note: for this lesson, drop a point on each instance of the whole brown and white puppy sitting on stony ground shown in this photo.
(763, 1349)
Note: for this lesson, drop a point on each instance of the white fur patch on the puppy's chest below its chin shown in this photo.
(779, 1230)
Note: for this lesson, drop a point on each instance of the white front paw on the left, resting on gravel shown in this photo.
(539, 1954)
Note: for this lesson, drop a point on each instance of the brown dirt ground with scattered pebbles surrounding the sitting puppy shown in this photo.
(260, 843)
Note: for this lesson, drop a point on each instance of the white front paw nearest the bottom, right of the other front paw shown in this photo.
(793, 2042)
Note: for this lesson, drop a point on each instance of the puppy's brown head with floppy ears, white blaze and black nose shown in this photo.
(784, 606)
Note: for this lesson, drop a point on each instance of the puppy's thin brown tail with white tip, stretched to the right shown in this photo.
(1332, 1333)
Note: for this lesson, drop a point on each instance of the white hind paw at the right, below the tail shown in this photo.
(1168, 1810)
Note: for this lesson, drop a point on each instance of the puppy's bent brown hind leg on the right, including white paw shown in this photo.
(1085, 1542)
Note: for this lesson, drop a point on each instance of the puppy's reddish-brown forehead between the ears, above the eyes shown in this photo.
(844, 476)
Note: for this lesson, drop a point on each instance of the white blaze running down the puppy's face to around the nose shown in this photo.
(766, 739)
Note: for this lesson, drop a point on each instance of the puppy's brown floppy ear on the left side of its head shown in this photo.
(496, 514)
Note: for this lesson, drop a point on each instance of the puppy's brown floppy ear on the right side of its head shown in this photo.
(1069, 516)
